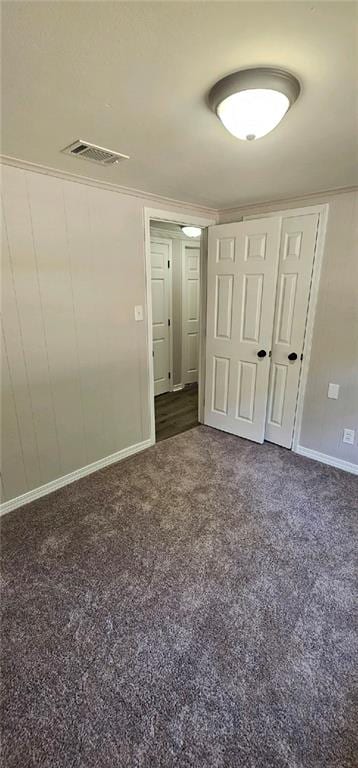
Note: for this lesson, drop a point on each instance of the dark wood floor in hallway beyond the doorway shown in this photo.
(176, 412)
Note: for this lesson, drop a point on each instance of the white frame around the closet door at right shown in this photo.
(322, 211)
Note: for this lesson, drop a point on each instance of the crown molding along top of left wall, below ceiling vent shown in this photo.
(89, 181)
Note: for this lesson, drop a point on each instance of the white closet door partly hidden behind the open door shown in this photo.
(297, 249)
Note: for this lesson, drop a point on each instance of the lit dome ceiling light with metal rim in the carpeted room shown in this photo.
(252, 102)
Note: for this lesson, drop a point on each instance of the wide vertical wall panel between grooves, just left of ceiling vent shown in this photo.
(49, 230)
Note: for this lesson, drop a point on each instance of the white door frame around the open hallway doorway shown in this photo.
(171, 217)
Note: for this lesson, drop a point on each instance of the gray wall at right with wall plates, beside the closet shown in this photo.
(334, 356)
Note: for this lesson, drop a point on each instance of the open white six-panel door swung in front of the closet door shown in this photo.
(242, 271)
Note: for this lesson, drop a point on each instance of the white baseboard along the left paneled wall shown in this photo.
(43, 490)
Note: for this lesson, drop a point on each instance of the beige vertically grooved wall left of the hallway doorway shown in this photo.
(74, 361)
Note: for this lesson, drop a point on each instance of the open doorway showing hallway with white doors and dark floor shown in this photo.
(175, 277)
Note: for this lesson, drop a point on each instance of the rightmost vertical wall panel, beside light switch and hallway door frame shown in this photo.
(118, 267)
